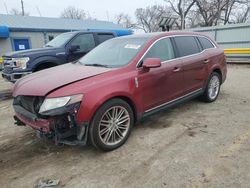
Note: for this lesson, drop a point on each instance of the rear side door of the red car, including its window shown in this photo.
(194, 61)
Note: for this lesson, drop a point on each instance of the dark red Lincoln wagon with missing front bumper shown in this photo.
(100, 97)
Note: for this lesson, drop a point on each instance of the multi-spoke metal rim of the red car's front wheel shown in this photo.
(114, 125)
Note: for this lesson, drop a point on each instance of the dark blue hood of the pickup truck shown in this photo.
(31, 52)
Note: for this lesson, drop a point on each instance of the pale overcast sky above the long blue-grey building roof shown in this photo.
(100, 9)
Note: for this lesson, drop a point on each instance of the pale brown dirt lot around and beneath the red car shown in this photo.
(192, 145)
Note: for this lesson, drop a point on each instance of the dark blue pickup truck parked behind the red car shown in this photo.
(66, 47)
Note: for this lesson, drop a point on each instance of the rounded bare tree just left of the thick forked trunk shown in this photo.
(148, 18)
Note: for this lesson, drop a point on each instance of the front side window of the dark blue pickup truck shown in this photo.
(86, 42)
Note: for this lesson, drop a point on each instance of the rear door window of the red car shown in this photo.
(186, 45)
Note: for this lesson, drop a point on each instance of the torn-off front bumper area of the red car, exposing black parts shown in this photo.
(63, 129)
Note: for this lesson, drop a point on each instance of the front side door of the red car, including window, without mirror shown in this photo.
(160, 85)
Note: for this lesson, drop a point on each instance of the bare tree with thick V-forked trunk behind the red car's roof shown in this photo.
(181, 8)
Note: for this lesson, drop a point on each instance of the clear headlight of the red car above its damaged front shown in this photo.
(53, 103)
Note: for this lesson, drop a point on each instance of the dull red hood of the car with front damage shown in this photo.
(45, 81)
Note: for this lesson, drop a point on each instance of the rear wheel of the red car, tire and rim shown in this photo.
(213, 88)
